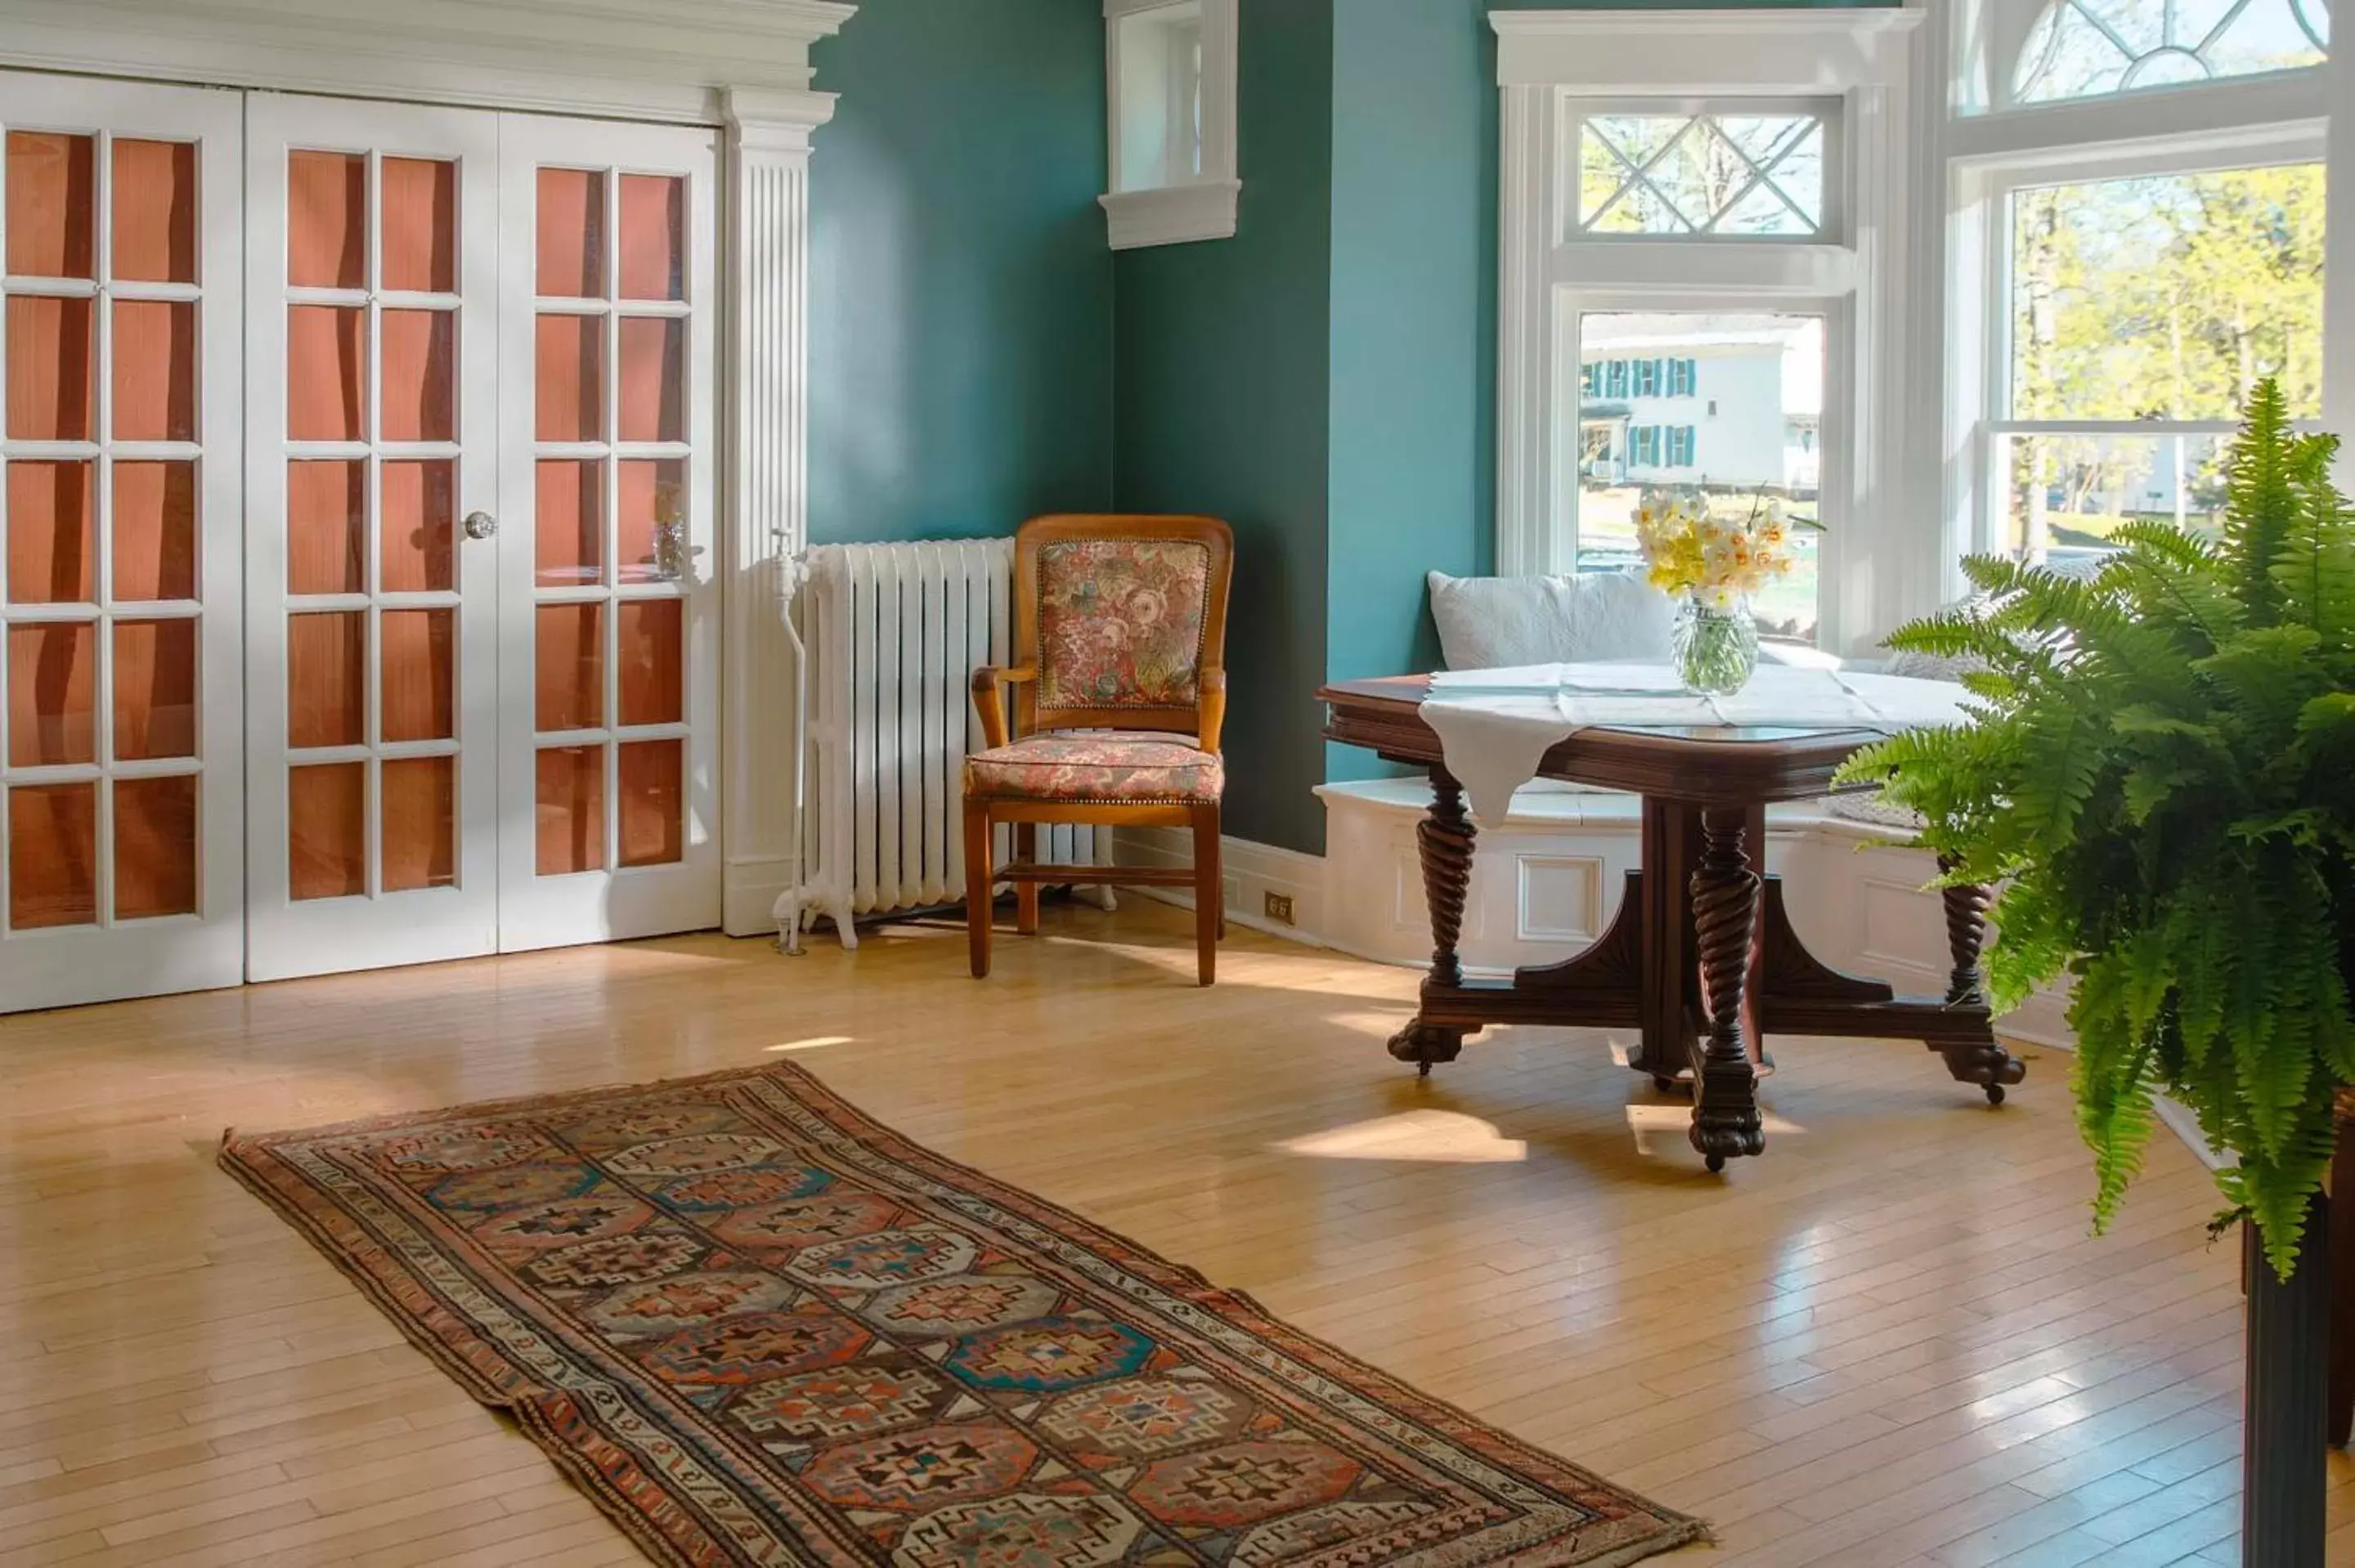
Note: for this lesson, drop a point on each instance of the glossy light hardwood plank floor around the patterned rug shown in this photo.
(1888, 1343)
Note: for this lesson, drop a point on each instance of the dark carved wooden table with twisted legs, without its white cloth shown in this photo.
(1701, 959)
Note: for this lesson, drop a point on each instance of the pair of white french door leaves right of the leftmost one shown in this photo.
(479, 533)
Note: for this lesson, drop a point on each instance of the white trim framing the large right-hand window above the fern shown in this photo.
(1979, 159)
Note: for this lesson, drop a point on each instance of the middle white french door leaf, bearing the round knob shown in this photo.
(376, 759)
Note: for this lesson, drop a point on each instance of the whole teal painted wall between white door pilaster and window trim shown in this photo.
(1325, 380)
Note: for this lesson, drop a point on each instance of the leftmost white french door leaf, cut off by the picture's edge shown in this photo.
(119, 510)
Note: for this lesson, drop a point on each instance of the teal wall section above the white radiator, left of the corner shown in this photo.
(960, 281)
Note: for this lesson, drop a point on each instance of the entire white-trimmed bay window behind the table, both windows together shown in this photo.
(2001, 284)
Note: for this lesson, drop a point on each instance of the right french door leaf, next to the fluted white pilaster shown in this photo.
(609, 611)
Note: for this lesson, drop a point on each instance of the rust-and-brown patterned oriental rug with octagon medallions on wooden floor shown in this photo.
(762, 1329)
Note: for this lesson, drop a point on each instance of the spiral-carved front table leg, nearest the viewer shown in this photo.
(1725, 926)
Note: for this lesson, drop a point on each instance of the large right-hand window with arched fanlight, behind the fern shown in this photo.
(2140, 232)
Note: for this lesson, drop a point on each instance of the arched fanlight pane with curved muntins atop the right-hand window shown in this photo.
(2097, 48)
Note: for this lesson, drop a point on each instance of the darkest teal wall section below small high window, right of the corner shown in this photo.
(1221, 387)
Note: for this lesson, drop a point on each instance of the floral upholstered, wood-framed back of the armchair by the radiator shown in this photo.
(1120, 618)
